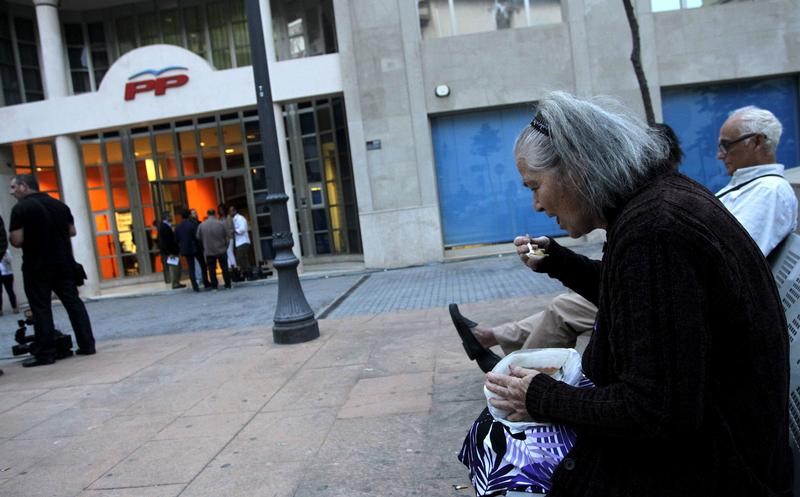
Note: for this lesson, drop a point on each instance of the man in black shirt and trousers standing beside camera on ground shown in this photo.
(42, 227)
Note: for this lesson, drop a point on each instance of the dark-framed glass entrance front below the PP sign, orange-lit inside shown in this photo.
(134, 174)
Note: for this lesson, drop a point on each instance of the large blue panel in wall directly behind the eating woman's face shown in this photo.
(481, 195)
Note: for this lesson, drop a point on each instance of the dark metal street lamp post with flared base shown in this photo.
(294, 320)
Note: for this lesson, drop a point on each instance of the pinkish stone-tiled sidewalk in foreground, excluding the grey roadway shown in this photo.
(378, 405)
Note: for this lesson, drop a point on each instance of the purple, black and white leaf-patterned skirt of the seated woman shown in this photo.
(500, 461)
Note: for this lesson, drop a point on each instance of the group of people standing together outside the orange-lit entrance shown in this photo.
(219, 241)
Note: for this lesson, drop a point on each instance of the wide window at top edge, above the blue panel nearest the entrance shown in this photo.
(439, 18)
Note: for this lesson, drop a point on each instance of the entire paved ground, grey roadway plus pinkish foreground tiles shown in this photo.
(188, 395)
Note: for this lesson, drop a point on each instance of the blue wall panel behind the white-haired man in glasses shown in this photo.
(697, 113)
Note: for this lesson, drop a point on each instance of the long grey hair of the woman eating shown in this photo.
(600, 154)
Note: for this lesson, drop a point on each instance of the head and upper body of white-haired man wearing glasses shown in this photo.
(758, 195)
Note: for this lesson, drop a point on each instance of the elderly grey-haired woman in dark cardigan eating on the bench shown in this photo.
(689, 355)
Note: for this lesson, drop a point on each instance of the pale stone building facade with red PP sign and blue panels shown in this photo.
(395, 119)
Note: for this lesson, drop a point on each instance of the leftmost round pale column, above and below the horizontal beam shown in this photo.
(73, 186)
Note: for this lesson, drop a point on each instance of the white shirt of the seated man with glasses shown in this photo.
(766, 207)
